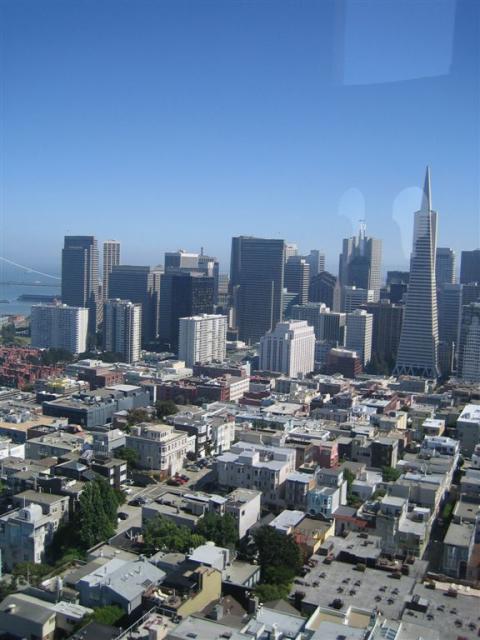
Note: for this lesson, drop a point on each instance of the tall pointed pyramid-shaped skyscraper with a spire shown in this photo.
(418, 349)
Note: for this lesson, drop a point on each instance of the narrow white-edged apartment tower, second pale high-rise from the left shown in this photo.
(122, 329)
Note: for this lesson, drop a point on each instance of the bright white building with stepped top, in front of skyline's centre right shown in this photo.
(288, 349)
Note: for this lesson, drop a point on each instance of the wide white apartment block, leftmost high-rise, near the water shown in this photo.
(59, 326)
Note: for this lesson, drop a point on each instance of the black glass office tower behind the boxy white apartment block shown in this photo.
(184, 294)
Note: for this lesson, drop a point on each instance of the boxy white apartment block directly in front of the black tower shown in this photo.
(202, 339)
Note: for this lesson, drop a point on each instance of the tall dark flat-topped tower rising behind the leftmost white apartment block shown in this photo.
(80, 284)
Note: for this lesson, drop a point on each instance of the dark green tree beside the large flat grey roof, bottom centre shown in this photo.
(279, 556)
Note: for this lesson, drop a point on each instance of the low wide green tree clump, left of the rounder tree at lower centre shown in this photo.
(161, 534)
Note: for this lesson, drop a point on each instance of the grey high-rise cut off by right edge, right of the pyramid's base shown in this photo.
(469, 347)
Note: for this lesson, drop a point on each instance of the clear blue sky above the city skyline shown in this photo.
(179, 123)
